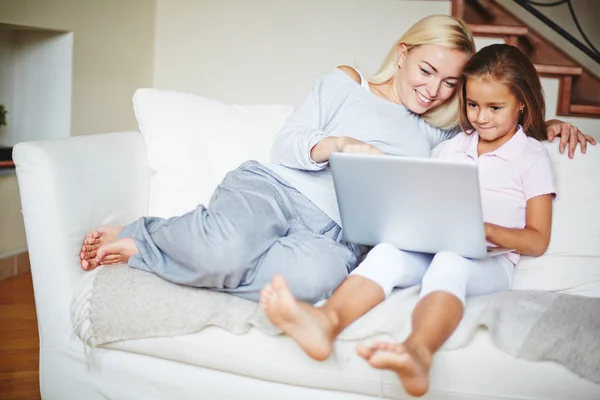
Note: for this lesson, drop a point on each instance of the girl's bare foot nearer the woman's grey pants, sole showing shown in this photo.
(311, 327)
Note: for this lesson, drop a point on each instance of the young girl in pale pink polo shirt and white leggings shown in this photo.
(502, 115)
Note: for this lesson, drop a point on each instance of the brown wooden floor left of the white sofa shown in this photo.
(19, 341)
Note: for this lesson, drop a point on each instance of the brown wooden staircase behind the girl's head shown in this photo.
(579, 89)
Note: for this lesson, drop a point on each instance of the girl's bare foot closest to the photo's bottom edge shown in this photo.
(410, 363)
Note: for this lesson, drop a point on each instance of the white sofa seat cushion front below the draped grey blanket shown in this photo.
(457, 374)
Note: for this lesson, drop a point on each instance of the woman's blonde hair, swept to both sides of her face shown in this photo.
(441, 30)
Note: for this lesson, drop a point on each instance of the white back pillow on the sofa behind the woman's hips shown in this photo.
(192, 142)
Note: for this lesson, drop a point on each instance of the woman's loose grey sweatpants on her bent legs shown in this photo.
(255, 226)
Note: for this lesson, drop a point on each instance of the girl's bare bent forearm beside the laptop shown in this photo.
(533, 239)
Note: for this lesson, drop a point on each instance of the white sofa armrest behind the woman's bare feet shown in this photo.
(68, 187)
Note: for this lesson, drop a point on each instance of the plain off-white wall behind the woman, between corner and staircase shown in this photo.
(272, 51)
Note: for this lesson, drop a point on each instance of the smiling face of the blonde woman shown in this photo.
(428, 76)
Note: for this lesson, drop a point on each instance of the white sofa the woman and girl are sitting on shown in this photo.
(187, 143)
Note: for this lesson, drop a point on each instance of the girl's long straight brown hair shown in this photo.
(509, 65)
